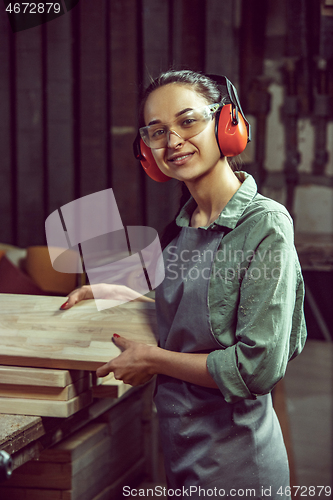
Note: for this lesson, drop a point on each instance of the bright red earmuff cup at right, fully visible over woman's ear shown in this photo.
(232, 138)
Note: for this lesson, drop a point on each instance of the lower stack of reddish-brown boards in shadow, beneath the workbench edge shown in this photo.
(92, 464)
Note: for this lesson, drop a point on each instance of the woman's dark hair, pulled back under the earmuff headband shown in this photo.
(209, 90)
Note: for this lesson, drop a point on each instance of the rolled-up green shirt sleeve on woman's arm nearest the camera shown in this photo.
(270, 326)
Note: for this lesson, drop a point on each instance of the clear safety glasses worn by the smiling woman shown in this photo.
(185, 126)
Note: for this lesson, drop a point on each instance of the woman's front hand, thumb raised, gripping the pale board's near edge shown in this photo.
(132, 365)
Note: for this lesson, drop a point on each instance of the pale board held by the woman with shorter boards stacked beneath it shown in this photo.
(35, 334)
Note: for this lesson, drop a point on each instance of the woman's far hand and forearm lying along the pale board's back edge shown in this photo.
(103, 291)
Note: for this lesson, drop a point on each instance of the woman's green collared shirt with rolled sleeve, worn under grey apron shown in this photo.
(256, 293)
